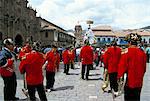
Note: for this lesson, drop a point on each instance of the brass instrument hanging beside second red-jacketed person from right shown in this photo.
(105, 80)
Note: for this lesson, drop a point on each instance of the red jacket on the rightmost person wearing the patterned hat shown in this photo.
(133, 62)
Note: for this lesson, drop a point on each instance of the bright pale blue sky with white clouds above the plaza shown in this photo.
(120, 14)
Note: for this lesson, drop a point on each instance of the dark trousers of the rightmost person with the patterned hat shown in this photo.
(132, 94)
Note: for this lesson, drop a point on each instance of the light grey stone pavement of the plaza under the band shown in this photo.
(72, 88)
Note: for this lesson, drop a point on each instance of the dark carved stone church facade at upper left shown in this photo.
(18, 21)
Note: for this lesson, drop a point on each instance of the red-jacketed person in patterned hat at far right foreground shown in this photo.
(133, 63)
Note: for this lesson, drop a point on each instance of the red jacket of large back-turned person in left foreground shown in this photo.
(32, 64)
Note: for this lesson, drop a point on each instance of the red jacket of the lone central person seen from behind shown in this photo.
(86, 55)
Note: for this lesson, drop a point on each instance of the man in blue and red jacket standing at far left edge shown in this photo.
(7, 59)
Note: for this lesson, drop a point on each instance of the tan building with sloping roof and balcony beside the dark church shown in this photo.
(53, 34)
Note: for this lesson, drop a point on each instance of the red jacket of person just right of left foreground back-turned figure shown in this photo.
(52, 59)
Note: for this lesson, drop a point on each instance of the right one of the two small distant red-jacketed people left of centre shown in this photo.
(71, 57)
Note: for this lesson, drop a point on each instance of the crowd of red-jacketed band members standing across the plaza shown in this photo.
(117, 62)
